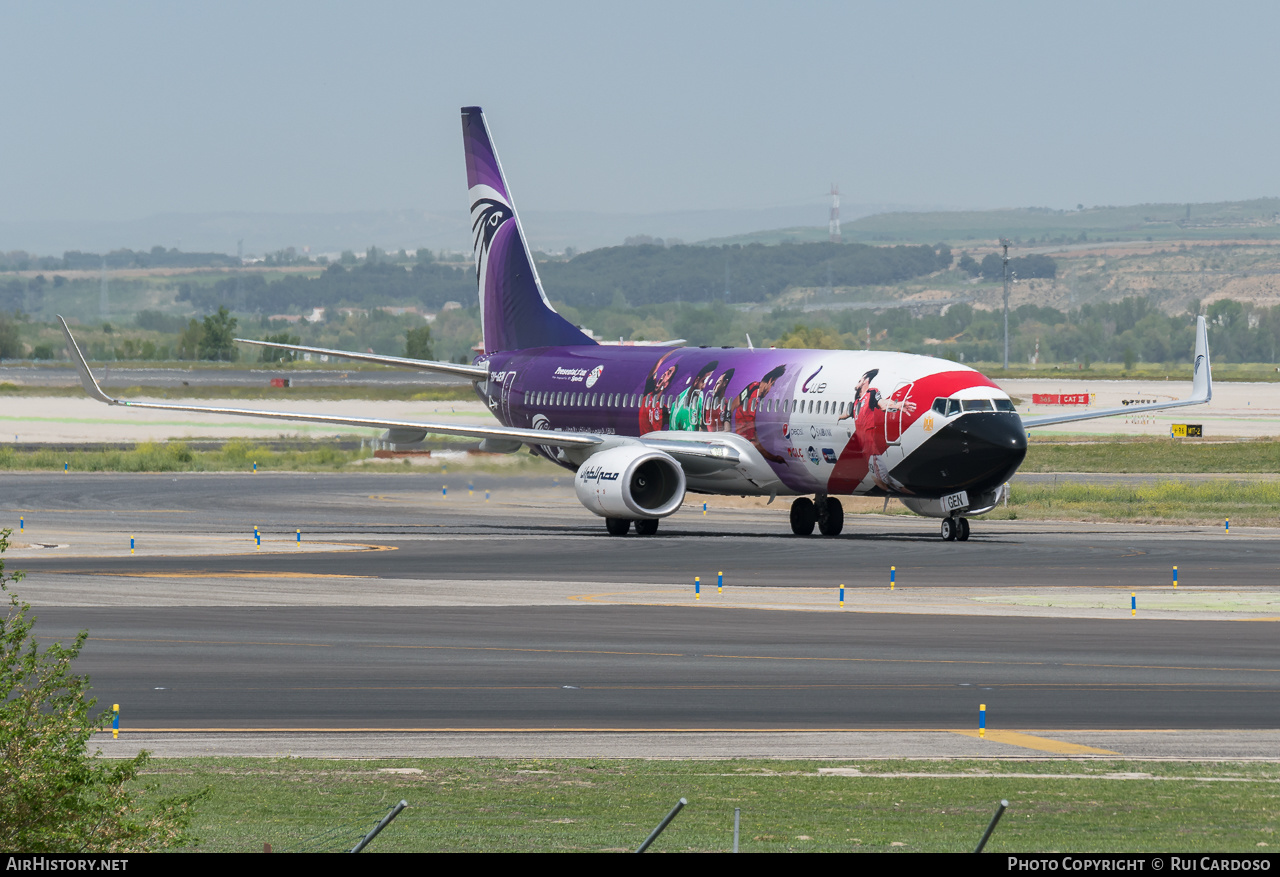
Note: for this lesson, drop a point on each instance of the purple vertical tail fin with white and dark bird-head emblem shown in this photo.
(514, 309)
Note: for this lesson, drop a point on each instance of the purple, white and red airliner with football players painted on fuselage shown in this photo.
(643, 426)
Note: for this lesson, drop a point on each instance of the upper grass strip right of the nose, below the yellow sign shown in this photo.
(1117, 454)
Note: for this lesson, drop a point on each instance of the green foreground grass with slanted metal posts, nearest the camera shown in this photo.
(482, 805)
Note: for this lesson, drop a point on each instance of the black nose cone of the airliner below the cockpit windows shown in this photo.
(976, 453)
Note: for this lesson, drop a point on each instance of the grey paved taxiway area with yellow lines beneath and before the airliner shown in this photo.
(437, 615)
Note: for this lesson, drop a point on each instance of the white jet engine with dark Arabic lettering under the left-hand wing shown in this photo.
(630, 482)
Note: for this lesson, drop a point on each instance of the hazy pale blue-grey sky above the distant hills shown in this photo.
(118, 111)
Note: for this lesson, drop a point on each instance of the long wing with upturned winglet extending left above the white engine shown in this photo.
(500, 433)
